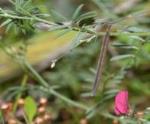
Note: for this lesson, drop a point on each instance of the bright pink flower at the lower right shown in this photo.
(121, 103)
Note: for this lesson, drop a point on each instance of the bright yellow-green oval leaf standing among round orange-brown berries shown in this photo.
(30, 108)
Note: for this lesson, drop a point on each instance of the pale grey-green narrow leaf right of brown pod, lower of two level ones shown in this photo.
(119, 57)
